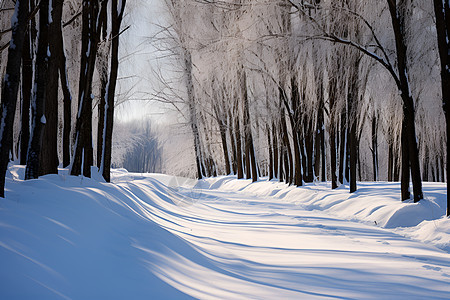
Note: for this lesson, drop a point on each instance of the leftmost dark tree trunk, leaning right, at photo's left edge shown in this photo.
(10, 87)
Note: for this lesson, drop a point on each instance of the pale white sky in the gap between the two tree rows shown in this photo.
(137, 62)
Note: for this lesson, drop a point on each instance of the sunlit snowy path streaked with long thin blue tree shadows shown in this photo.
(263, 249)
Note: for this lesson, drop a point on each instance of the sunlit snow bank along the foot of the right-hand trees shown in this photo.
(374, 203)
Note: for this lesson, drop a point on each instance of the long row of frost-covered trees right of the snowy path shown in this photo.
(303, 91)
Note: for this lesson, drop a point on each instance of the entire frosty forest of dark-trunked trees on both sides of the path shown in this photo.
(299, 91)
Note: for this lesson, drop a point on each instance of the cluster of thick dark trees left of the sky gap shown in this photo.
(36, 77)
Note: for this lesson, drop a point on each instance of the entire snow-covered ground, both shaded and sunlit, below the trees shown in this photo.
(149, 236)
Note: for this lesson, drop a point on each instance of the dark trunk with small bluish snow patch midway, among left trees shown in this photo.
(38, 118)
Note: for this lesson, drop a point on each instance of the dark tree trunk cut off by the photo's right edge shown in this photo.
(442, 12)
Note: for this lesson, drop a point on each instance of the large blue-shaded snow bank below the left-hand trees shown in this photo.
(65, 237)
